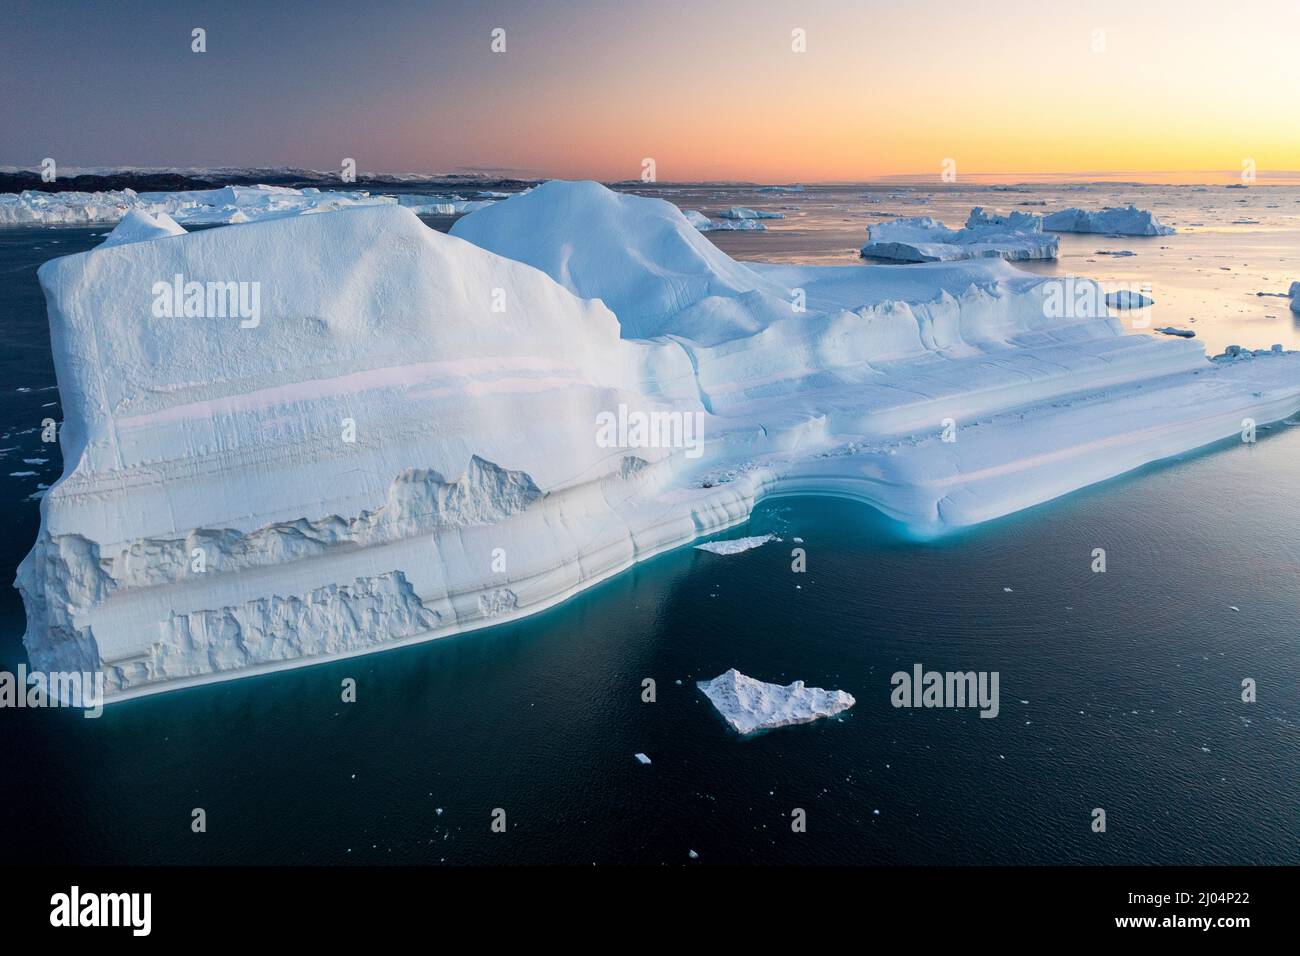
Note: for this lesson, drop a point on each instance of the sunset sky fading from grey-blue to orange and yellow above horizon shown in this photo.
(709, 89)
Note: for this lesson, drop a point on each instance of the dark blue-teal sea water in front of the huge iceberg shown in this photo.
(1119, 691)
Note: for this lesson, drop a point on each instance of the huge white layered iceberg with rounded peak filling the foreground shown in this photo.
(408, 445)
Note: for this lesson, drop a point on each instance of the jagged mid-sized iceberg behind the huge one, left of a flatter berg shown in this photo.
(1017, 236)
